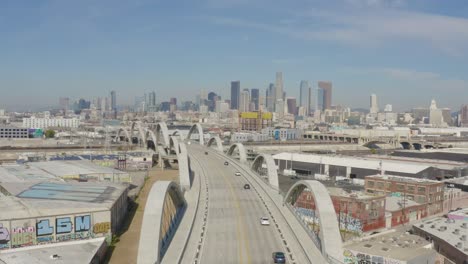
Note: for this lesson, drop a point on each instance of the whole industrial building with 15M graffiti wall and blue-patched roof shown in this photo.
(52, 212)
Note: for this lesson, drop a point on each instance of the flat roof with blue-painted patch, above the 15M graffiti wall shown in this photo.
(50, 198)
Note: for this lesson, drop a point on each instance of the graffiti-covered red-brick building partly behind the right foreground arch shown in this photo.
(357, 212)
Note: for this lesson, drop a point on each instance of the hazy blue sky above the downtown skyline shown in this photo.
(405, 51)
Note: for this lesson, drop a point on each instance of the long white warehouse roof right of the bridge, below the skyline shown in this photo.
(355, 162)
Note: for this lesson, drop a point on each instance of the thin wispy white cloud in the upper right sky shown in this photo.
(371, 27)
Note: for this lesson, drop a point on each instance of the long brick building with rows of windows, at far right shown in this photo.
(427, 192)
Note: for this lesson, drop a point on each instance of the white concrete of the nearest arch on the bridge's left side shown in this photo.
(151, 240)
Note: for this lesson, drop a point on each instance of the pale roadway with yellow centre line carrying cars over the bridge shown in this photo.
(233, 231)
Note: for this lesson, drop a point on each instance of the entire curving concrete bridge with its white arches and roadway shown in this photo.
(209, 217)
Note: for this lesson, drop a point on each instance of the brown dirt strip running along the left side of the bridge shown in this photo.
(126, 250)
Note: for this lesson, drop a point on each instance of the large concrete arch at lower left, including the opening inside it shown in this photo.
(163, 212)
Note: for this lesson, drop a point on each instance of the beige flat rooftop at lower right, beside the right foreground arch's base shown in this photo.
(395, 245)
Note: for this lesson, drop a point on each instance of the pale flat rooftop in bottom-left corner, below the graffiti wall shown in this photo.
(75, 252)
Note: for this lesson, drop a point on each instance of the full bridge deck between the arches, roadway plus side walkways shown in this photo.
(232, 232)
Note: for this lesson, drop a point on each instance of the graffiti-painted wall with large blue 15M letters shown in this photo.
(53, 229)
